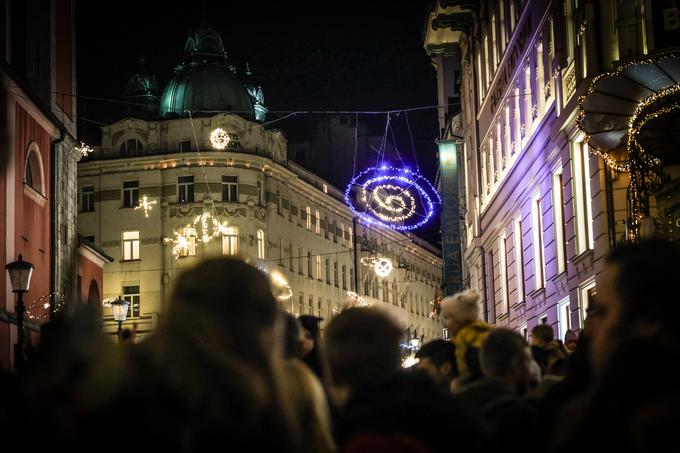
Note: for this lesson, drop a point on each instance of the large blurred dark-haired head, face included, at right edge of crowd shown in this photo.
(637, 296)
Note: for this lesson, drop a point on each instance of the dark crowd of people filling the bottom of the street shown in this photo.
(228, 369)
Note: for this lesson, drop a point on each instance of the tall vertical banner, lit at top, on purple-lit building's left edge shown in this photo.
(450, 215)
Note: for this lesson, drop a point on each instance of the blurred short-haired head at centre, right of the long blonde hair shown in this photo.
(362, 346)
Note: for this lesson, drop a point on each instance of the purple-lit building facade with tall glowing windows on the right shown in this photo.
(539, 210)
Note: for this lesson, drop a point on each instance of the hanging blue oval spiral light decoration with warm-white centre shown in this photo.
(397, 198)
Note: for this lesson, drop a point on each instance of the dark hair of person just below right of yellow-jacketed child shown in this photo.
(499, 350)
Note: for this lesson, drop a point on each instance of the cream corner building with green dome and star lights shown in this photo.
(274, 212)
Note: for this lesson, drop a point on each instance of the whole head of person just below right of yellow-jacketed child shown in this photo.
(505, 357)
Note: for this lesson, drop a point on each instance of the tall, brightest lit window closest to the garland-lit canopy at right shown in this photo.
(583, 211)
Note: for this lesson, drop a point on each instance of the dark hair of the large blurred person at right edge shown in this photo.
(646, 283)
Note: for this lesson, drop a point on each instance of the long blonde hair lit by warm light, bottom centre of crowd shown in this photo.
(309, 405)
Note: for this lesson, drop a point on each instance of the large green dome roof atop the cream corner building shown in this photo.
(203, 81)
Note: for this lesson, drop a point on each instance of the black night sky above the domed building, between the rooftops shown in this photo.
(350, 55)
